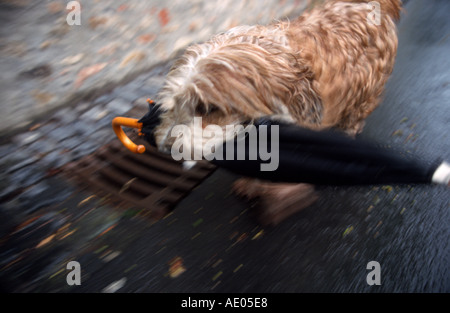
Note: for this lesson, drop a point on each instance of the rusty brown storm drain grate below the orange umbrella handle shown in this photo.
(151, 182)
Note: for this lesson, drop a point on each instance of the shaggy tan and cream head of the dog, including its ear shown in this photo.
(230, 81)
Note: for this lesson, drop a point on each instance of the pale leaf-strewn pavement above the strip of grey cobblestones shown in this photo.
(48, 64)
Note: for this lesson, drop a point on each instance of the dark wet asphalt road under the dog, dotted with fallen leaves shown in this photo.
(212, 243)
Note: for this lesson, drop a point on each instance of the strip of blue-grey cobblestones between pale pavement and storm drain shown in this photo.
(70, 133)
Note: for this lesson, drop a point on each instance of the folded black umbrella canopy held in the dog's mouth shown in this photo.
(290, 153)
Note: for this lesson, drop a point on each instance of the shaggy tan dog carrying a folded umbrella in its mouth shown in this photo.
(326, 69)
